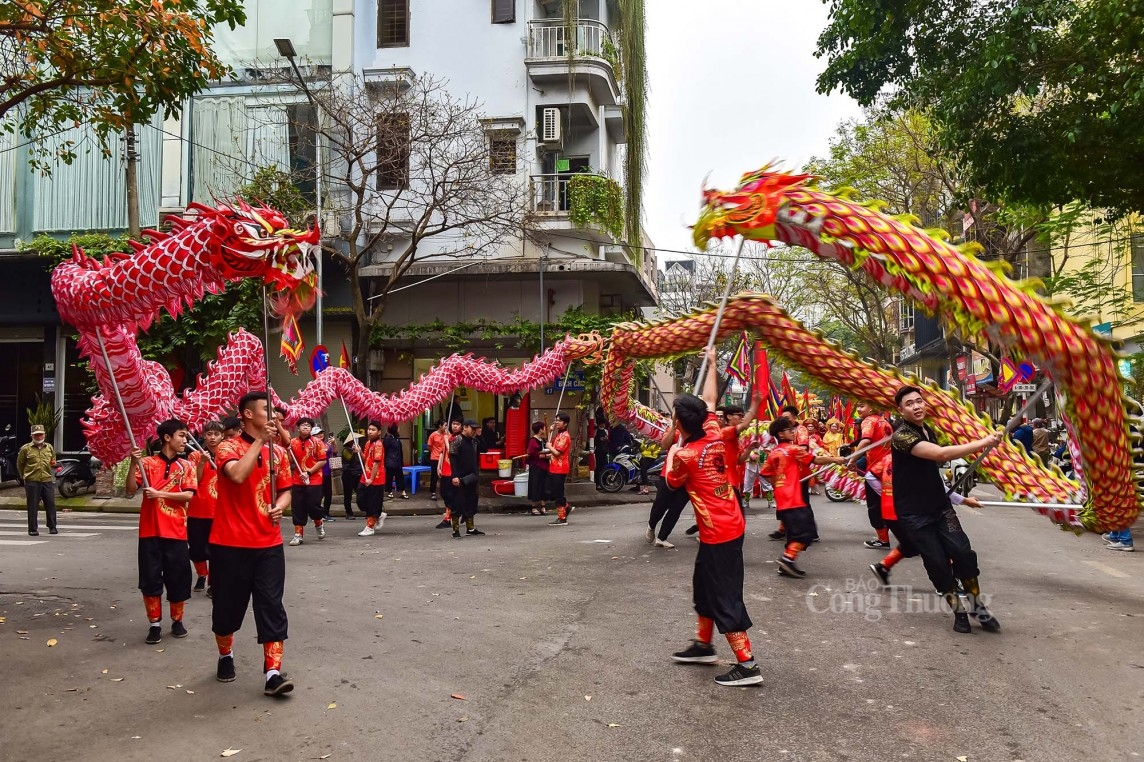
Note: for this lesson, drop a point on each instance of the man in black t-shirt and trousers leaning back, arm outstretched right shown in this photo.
(926, 517)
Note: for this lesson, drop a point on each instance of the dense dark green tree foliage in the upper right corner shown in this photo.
(1042, 100)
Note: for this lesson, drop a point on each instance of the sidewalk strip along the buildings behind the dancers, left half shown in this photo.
(582, 495)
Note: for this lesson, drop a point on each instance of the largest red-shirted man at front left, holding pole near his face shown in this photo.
(248, 561)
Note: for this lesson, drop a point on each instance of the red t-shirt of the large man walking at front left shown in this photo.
(243, 512)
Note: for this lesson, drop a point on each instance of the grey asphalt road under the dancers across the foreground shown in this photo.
(559, 640)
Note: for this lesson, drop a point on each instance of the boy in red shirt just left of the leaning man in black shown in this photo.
(785, 469)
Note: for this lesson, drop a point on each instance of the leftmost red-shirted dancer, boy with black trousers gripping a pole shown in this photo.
(163, 553)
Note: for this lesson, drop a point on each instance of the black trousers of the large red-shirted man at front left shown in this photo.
(242, 575)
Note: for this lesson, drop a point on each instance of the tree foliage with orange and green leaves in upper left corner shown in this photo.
(106, 63)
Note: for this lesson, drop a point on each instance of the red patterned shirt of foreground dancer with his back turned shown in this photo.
(701, 466)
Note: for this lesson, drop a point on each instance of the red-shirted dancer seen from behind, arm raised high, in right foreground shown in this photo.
(700, 465)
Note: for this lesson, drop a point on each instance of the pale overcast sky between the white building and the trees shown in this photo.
(733, 88)
